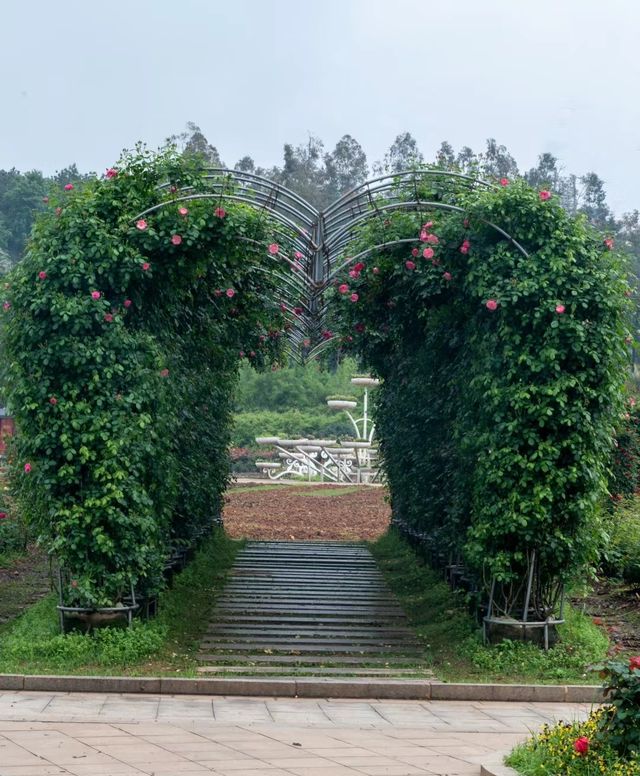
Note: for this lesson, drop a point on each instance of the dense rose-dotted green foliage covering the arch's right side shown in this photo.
(502, 373)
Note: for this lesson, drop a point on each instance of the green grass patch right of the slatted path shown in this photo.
(453, 640)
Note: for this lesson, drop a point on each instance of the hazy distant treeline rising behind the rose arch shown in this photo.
(321, 176)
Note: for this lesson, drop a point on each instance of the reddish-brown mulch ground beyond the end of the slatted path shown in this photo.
(288, 512)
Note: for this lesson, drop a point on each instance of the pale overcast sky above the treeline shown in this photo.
(81, 80)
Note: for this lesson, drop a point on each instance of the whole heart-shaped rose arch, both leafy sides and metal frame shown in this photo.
(495, 320)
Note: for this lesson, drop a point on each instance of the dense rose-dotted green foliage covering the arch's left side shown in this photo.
(122, 336)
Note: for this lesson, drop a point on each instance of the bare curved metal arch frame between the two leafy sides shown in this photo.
(322, 236)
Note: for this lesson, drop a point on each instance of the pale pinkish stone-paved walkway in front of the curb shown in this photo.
(54, 734)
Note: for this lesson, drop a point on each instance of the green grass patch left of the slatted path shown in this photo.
(164, 645)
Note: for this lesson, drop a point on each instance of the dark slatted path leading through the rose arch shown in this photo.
(319, 608)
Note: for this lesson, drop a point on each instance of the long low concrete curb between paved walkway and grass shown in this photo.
(386, 689)
